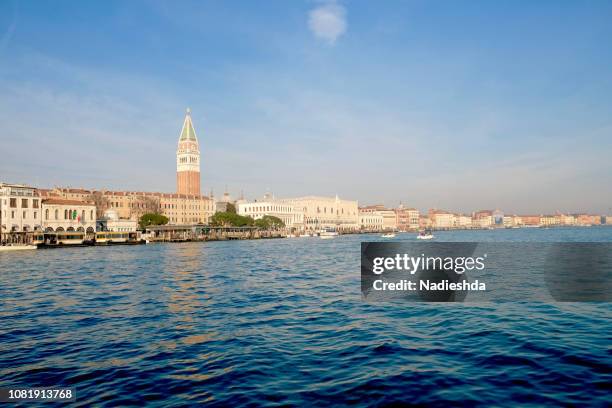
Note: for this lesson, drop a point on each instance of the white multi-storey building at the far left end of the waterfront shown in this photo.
(20, 210)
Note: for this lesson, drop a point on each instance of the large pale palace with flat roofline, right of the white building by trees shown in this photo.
(327, 212)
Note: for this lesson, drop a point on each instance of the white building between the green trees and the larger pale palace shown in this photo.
(291, 215)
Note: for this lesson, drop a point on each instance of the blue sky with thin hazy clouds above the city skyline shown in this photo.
(458, 105)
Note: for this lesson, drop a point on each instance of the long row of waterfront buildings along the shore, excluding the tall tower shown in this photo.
(25, 209)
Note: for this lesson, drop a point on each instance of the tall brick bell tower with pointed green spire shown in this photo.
(188, 159)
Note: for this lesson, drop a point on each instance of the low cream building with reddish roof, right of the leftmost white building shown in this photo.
(61, 214)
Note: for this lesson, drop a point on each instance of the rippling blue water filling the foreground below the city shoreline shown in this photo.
(277, 322)
